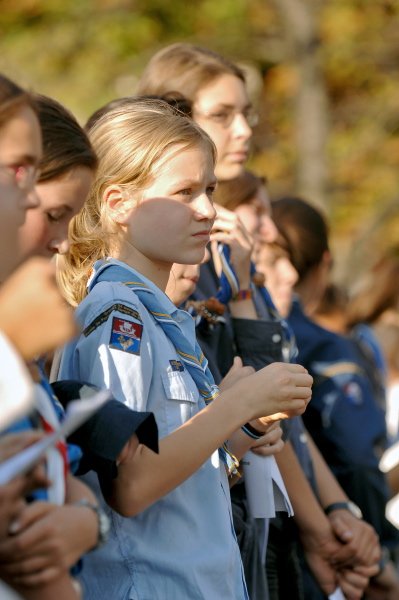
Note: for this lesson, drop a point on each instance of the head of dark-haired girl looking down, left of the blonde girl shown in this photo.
(66, 172)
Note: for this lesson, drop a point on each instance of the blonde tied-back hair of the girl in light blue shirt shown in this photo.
(129, 141)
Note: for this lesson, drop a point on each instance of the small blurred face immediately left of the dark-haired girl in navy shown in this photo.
(280, 275)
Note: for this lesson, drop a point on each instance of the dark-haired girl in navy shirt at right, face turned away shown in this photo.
(343, 418)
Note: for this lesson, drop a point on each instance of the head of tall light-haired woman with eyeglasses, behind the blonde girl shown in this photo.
(215, 87)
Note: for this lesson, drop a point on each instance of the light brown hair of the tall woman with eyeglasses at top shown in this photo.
(184, 69)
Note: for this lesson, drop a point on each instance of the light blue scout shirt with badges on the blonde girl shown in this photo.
(184, 545)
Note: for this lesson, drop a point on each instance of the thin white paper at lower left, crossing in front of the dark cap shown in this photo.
(78, 412)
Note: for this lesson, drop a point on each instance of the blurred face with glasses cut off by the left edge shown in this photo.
(20, 154)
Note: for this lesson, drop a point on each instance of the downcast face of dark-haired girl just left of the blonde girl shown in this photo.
(45, 231)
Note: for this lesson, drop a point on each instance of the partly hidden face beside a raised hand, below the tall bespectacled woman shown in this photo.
(256, 216)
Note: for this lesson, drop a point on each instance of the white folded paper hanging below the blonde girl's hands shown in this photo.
(265, 487)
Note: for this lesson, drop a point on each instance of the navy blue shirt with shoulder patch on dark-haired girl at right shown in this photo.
(344, 419)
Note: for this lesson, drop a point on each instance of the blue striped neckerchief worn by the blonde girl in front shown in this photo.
(191, 355)
